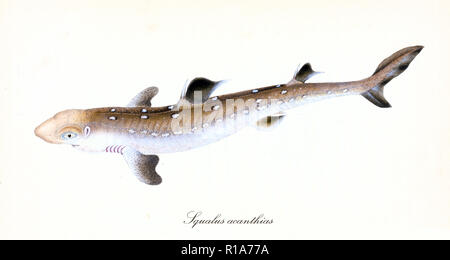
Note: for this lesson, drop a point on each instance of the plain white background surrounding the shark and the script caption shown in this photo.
(341, 168)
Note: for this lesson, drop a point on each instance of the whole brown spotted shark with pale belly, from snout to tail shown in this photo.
(140, 132)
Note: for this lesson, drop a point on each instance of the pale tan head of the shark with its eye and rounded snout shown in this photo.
(66, 127)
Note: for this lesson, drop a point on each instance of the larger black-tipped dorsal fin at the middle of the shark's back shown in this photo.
(202, 86)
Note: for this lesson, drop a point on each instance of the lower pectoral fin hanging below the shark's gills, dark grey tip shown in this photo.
(143, 166)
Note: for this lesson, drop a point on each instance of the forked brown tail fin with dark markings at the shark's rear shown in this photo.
(388, 69)
